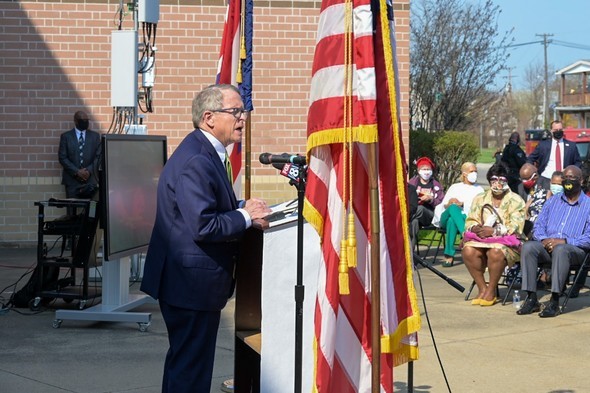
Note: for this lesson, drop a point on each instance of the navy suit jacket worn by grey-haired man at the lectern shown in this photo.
(194, 244)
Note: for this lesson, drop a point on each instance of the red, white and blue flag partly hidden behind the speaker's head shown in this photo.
(235, 66)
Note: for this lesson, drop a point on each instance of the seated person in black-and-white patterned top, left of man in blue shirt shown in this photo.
(533, 190)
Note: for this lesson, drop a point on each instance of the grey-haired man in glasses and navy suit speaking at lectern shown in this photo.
(194, 245)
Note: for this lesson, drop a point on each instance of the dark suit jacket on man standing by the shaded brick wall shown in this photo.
(69, 156)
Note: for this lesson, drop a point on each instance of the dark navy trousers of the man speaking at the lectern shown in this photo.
(189, 362)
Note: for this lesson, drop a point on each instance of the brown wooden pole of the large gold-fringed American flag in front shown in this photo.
(375, 270)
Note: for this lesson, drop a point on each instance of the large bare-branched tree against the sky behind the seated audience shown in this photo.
(456, 54)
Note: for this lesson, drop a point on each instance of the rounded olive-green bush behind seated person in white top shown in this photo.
(451, 150)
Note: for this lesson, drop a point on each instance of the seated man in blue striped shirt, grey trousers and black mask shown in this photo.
(561, 237)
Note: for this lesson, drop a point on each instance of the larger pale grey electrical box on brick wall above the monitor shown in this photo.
(124, 68)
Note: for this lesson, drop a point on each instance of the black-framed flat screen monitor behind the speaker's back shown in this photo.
(131, 167)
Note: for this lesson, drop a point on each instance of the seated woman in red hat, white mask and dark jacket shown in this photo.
(430, 194)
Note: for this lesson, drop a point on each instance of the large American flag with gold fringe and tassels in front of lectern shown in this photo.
(354, 130)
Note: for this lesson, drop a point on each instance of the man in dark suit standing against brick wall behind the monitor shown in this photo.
(78, 150)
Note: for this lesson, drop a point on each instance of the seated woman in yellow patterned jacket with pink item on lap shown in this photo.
(492, 236)
